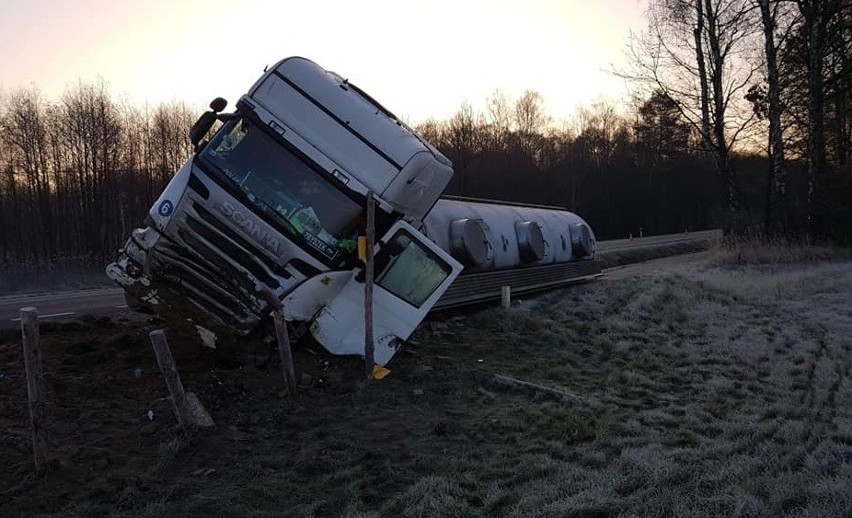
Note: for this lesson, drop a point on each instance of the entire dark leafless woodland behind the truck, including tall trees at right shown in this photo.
(741, 119)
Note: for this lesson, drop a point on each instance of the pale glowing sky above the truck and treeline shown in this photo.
(420, 59)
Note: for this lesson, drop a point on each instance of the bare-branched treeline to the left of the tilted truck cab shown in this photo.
(77, 174)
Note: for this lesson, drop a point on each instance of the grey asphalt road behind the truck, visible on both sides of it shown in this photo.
(110, 301)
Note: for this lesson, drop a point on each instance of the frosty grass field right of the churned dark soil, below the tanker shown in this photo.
(705, 391)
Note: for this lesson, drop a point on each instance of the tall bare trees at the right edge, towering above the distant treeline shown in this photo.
(773, 76)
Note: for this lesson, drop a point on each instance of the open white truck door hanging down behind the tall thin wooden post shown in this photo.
(411, 274)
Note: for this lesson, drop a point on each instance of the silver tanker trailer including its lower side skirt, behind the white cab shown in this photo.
(524, 246)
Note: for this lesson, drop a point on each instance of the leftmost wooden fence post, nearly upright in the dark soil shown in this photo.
(35, 385)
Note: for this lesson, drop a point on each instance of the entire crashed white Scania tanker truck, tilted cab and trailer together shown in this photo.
(274, 201)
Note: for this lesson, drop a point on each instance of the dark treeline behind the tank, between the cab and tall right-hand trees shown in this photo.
(626, 174)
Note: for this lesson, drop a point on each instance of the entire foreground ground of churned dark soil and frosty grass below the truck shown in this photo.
(704, 392)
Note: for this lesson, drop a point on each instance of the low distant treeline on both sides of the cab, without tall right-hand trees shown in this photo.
(79, 173)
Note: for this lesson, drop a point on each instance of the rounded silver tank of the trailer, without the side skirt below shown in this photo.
(486, 235)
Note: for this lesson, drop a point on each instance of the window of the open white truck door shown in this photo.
(409, 270)
